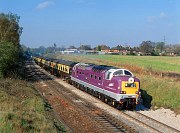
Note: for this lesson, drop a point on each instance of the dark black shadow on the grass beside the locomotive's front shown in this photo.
(146, 99)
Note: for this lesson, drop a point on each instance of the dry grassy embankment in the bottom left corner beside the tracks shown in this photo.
(23, 110)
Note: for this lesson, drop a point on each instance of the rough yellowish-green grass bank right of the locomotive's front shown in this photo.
(165, 92)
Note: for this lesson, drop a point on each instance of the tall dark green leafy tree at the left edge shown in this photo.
(10, 33)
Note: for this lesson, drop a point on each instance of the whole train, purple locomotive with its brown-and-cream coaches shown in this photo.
(115, 86)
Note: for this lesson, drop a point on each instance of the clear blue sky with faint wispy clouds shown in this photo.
(93, 22)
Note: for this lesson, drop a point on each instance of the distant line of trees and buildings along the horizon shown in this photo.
(145, 48)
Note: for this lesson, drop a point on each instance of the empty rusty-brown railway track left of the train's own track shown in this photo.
(105, 119)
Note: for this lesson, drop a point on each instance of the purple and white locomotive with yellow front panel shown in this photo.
(116, 86)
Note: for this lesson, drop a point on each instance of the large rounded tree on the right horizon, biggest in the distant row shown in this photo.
(147, 47)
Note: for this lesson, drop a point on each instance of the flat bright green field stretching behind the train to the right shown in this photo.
(159, 63)
